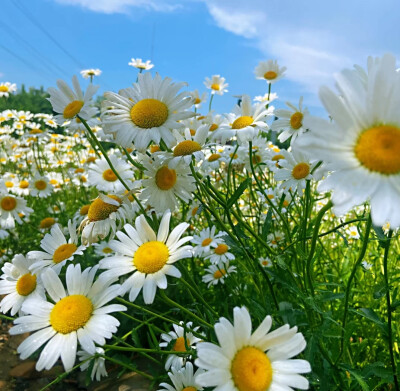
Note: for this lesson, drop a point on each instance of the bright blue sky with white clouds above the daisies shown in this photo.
(188, 40)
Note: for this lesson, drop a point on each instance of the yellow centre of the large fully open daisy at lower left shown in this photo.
(71, 313)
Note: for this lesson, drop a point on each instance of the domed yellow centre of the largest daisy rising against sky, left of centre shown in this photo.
(149, 113)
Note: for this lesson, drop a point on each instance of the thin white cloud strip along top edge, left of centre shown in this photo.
(121, 6)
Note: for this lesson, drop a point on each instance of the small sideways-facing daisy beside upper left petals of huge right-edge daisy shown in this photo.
(290, 121)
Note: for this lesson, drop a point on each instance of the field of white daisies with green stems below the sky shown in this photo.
(252, 250)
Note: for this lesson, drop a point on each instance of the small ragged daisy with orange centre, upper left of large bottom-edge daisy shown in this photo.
(183, 340)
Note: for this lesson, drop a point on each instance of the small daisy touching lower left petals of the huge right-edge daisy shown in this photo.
(295, 169)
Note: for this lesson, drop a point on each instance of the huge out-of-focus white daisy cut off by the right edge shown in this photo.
(362, 143)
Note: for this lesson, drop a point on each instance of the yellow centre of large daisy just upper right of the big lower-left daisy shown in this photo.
(151, 257)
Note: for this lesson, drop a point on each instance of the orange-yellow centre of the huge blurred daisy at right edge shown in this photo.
(378, 149)
